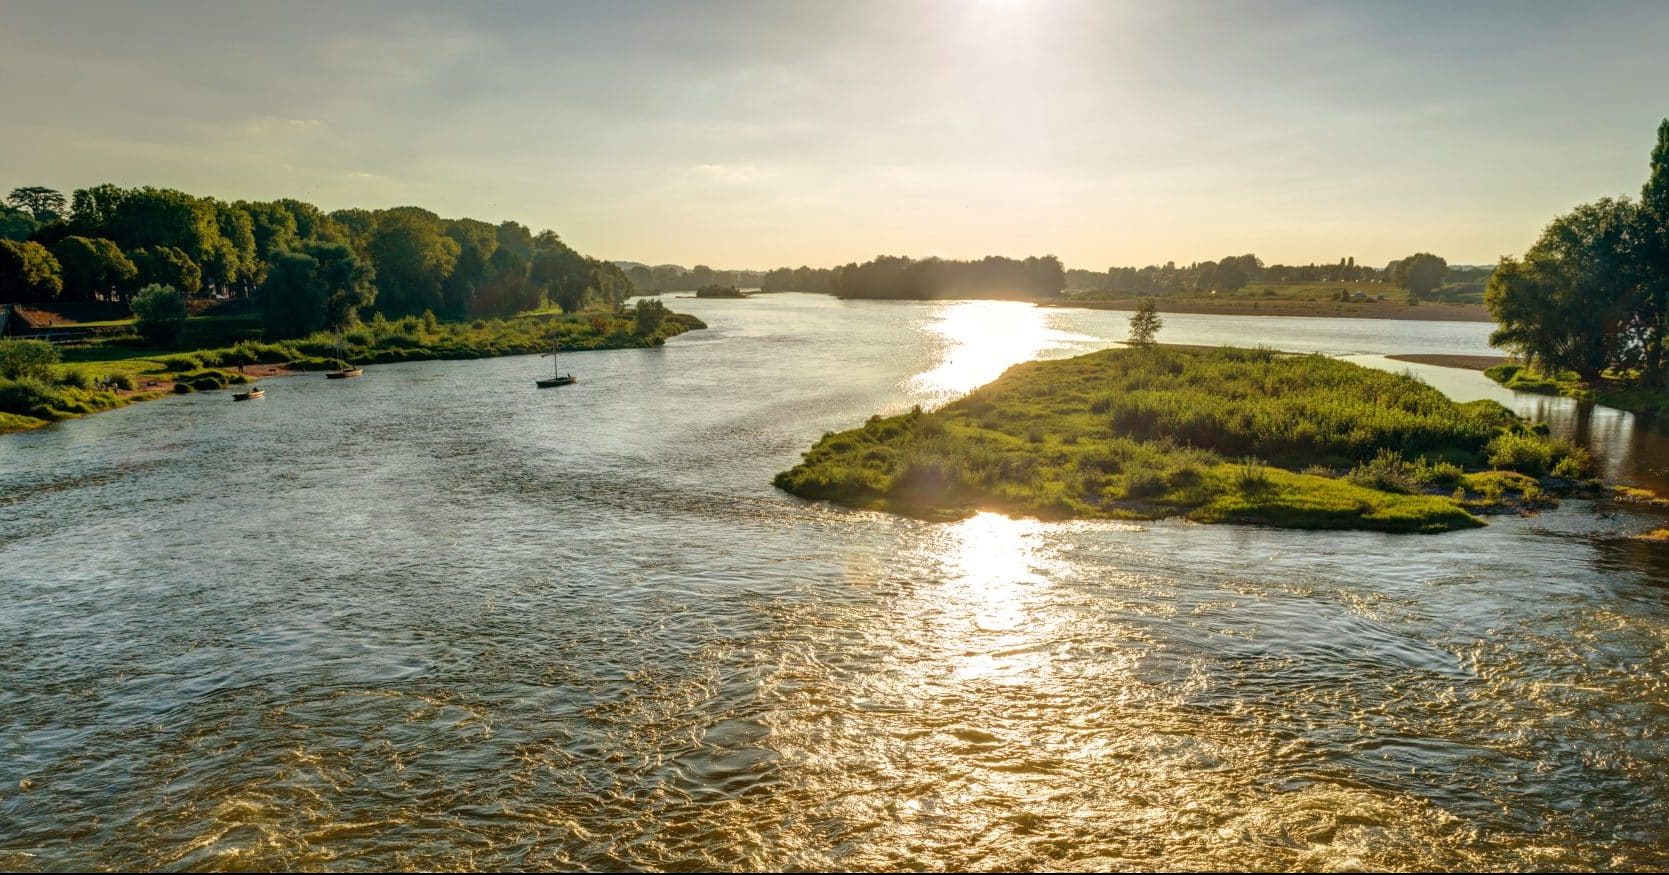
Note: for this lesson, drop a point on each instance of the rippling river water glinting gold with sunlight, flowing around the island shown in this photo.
(436, 619)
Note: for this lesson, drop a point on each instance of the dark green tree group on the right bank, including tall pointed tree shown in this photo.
(1593, 295)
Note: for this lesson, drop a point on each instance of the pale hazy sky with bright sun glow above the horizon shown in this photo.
(814, 133)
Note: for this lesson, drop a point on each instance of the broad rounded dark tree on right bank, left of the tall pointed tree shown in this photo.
(1568, 303)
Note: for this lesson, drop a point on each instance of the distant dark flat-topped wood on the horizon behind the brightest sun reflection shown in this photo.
(927, 280)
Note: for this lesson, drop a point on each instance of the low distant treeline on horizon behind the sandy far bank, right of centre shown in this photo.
(1426, 276)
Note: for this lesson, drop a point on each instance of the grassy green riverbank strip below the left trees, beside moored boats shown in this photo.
(113, 372)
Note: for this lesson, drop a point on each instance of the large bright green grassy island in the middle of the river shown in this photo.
(1218, 437)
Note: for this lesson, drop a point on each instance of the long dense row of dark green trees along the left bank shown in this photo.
(308, 268)
